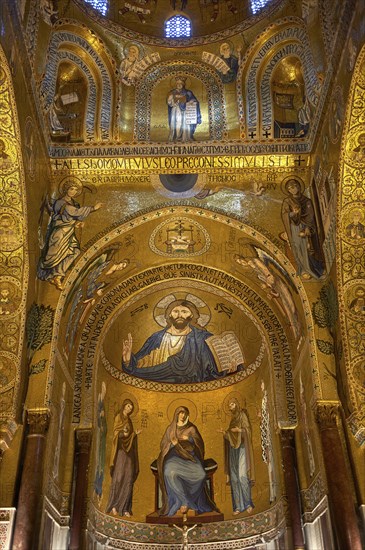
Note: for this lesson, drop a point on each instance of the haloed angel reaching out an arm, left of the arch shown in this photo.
(61, 246)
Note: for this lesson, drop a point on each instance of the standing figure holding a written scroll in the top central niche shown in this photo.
(183, 112)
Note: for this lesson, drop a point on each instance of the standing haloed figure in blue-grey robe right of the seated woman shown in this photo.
(238, 458)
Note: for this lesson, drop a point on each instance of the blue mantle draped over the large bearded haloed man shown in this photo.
(193, 363)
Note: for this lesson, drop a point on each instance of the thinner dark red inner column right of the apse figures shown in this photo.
(291, 487)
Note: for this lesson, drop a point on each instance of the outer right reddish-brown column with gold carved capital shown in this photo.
(342, 505)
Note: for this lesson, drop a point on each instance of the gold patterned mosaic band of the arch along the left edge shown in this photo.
(14, 264)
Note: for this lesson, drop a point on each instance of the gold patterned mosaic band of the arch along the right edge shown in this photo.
(350, 265)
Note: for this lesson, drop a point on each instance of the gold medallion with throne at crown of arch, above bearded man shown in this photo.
(179, 237)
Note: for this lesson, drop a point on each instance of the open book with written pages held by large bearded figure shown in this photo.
(227, 351)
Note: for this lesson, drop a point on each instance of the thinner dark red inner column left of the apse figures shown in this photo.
(82, 457)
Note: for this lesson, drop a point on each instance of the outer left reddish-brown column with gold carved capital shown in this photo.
(30, 493)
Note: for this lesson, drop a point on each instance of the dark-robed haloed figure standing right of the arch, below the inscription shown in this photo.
(301, 231)
